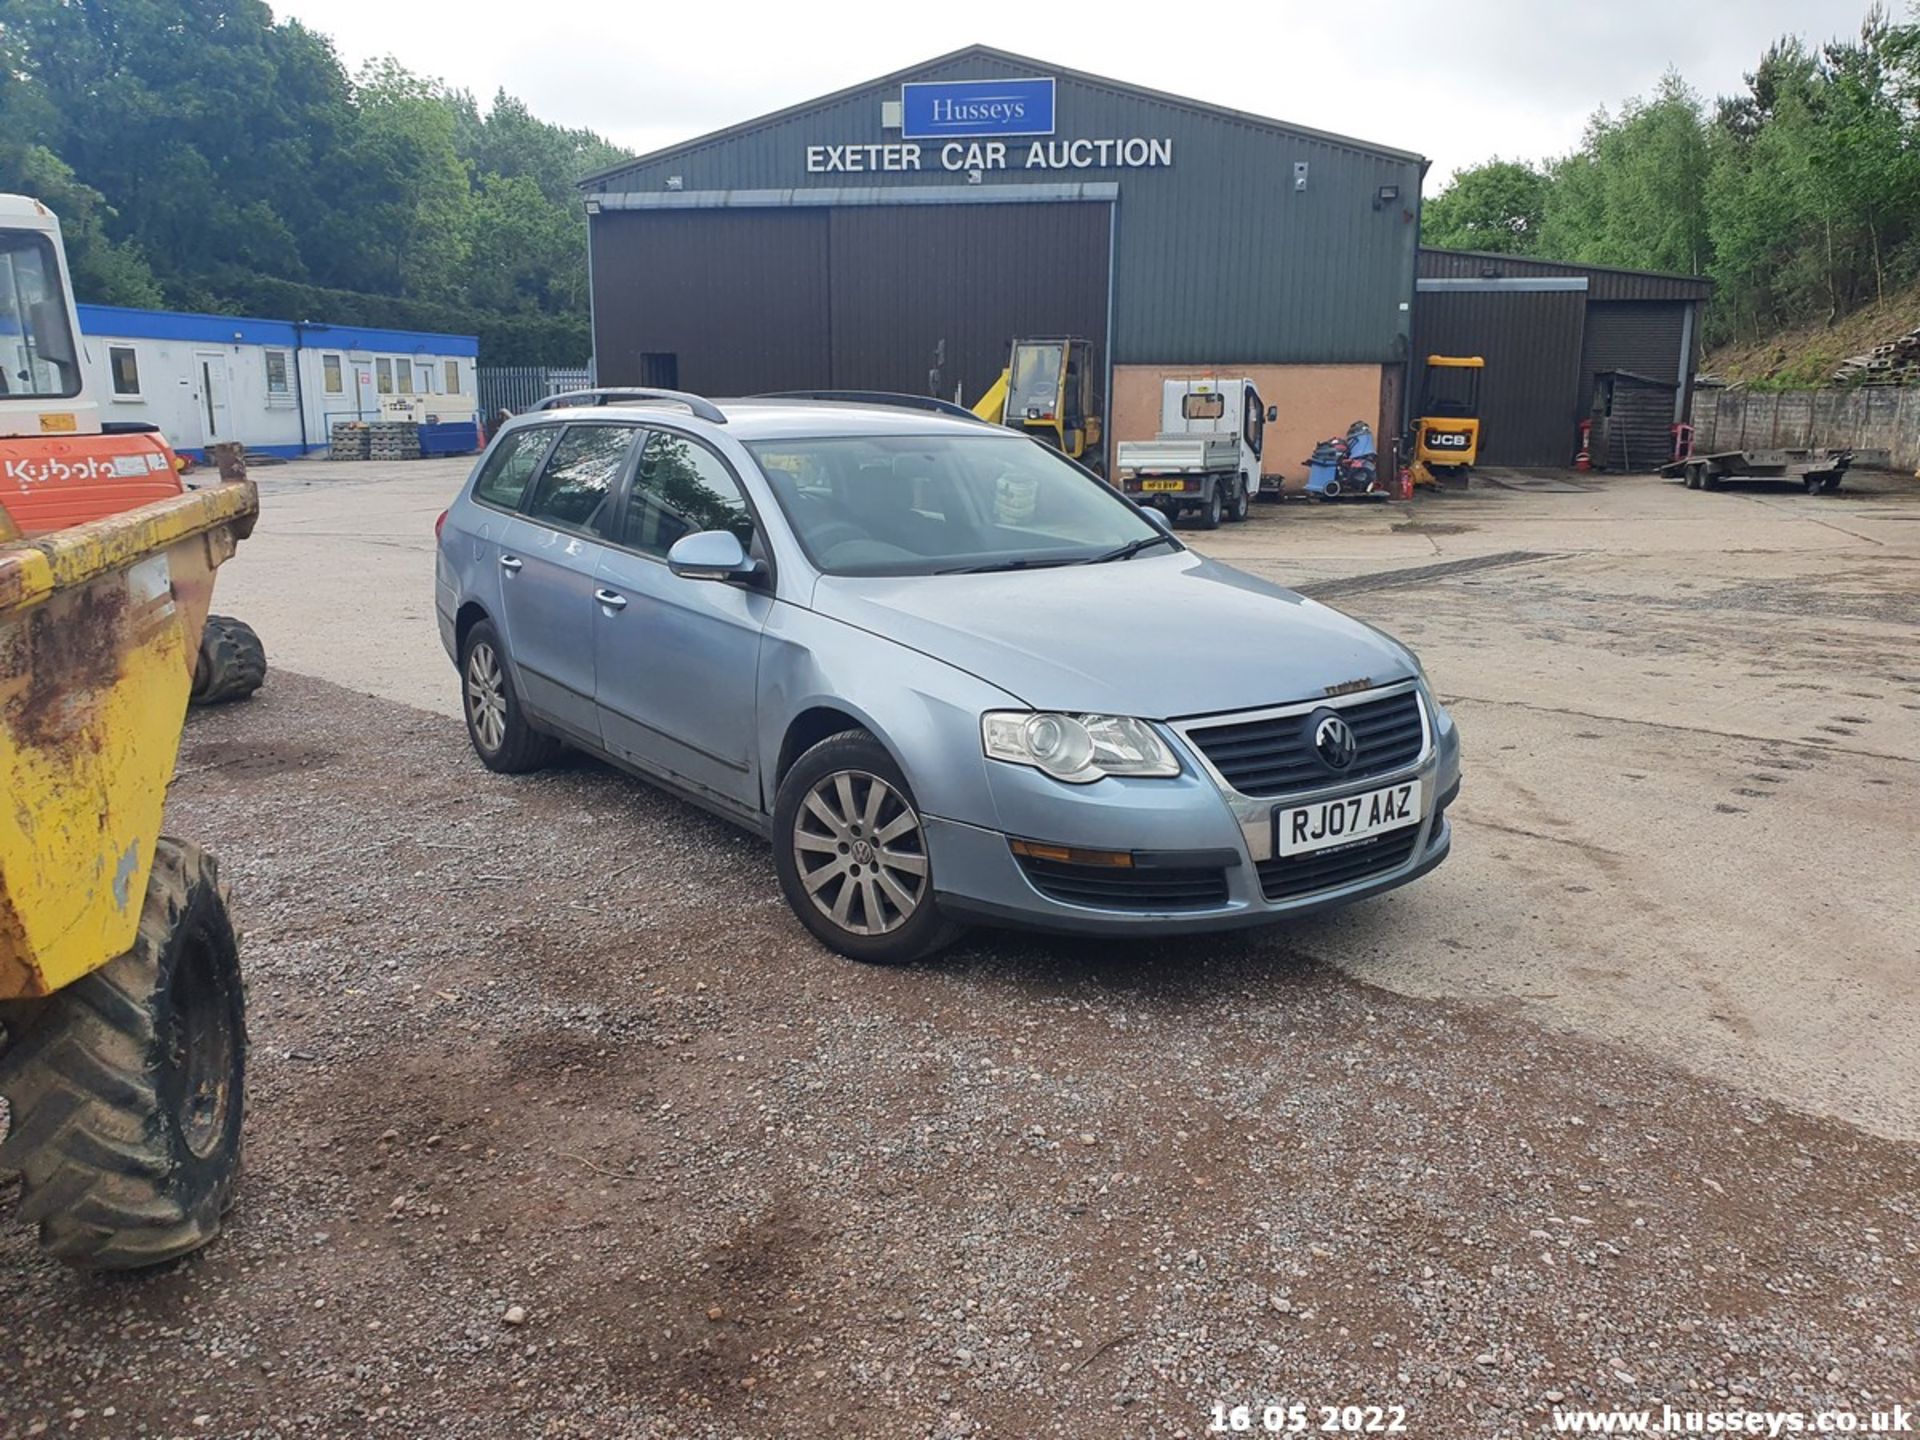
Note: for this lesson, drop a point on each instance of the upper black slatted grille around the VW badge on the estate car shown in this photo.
(1278, 757)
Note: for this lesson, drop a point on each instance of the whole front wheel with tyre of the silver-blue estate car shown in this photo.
(850, 850)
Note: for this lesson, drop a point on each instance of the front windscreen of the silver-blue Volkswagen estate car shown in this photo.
(940, 504)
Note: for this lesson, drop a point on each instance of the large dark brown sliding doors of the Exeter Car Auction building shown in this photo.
(857, 299)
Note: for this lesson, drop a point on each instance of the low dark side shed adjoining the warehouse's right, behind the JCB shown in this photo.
(1566, 345)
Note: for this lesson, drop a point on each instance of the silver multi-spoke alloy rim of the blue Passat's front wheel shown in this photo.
(861, 853)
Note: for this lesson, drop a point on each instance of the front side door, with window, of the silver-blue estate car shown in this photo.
(677, 663)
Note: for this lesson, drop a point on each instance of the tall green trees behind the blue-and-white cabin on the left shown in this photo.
(233, 160)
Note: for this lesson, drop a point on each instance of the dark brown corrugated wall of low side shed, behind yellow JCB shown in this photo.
(1531, 395)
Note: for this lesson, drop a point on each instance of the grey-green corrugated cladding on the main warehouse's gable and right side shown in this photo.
(1220, 260)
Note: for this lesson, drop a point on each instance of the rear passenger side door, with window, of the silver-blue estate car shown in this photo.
(550, 562)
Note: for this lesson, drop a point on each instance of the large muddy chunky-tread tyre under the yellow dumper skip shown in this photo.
(128, 1088)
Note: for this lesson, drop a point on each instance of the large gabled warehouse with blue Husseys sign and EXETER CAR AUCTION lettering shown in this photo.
(898, 235)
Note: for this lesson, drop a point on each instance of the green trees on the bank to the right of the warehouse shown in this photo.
(1800, 197)
